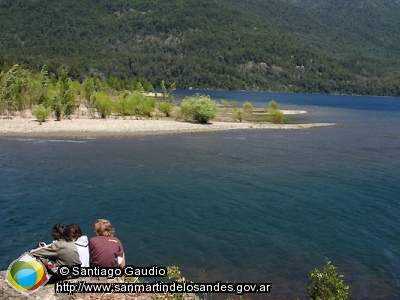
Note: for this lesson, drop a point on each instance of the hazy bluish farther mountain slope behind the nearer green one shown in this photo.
(338, 27)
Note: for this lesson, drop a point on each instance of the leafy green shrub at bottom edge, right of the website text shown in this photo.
(327, 284)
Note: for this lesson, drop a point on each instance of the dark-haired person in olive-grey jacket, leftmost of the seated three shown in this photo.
(60, 252)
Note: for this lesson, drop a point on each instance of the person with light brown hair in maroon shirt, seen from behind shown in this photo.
(105, 249)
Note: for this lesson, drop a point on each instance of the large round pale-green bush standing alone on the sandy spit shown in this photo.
(198, 108)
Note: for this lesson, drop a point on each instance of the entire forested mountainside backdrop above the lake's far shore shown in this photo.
(280, 45)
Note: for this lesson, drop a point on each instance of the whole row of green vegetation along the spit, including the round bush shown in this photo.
(22, 89)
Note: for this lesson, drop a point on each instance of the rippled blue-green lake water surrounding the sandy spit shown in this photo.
(237, 206)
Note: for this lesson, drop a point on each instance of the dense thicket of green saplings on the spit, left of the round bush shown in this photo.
(22, 89)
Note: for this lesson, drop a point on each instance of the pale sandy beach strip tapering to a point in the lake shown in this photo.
(92, 128)
